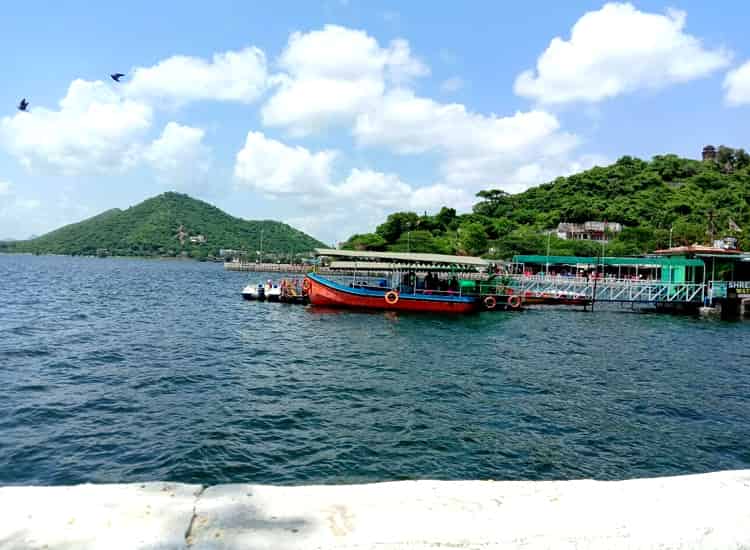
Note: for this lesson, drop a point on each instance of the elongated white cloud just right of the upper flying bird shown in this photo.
(230, 76)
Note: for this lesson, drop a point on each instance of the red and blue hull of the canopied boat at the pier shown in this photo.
(326, 292)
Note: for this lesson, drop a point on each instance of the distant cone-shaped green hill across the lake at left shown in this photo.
(152, 228)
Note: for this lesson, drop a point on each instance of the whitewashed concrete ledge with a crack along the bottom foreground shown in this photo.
(697, 511)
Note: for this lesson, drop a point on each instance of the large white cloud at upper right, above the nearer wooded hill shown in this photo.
(616, 50)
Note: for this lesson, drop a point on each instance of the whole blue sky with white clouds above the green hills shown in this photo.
(330, 115)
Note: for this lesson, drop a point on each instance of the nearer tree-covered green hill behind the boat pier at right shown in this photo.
(647, 197)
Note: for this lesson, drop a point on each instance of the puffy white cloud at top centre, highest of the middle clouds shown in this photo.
(333, 74)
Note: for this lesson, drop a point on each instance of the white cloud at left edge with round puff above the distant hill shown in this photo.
(97, 131)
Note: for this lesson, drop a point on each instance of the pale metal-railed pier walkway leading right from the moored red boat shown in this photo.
(613, 290)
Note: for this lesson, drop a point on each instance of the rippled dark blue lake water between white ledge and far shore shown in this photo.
(115, 370)
